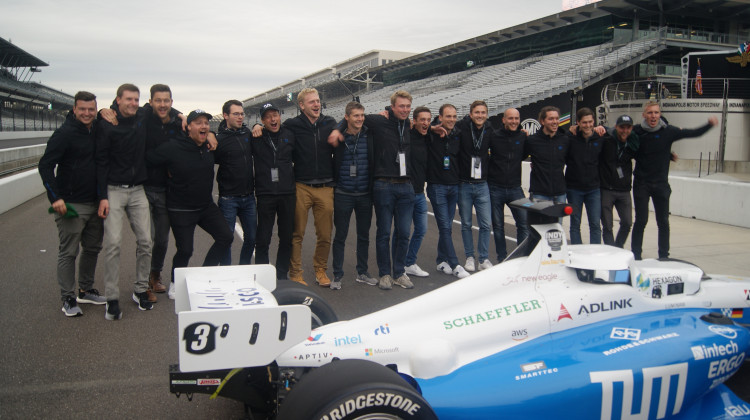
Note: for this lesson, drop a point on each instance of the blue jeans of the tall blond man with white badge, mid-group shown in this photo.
(394, 205)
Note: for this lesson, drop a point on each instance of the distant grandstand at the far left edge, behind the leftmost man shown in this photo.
(26, 105)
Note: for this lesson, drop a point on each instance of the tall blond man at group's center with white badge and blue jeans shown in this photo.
(393, 194)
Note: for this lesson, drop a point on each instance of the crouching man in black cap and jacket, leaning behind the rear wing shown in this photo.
(189, 201)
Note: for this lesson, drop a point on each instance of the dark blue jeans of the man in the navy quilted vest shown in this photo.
(343, 206)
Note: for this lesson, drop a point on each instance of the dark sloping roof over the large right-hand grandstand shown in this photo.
(642, 9)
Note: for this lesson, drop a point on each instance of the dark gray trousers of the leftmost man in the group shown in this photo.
(85, 233)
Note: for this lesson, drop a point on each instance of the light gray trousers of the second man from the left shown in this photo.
(130, 202)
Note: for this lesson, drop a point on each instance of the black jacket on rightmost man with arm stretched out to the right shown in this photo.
(655, 152)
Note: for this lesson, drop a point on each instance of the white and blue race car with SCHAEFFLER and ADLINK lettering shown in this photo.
(555, 331)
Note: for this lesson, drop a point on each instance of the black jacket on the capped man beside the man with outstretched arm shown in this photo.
(617, 155)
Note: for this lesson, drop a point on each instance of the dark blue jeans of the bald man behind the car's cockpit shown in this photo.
(499, 197)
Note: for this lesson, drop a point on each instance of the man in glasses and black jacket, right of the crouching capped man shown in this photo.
(235, 177)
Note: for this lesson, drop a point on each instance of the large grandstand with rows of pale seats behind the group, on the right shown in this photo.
(583, 56)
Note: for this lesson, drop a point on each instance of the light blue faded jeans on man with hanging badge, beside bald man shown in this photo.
(475, 195)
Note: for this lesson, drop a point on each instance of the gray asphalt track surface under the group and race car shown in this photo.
(58, 367)
